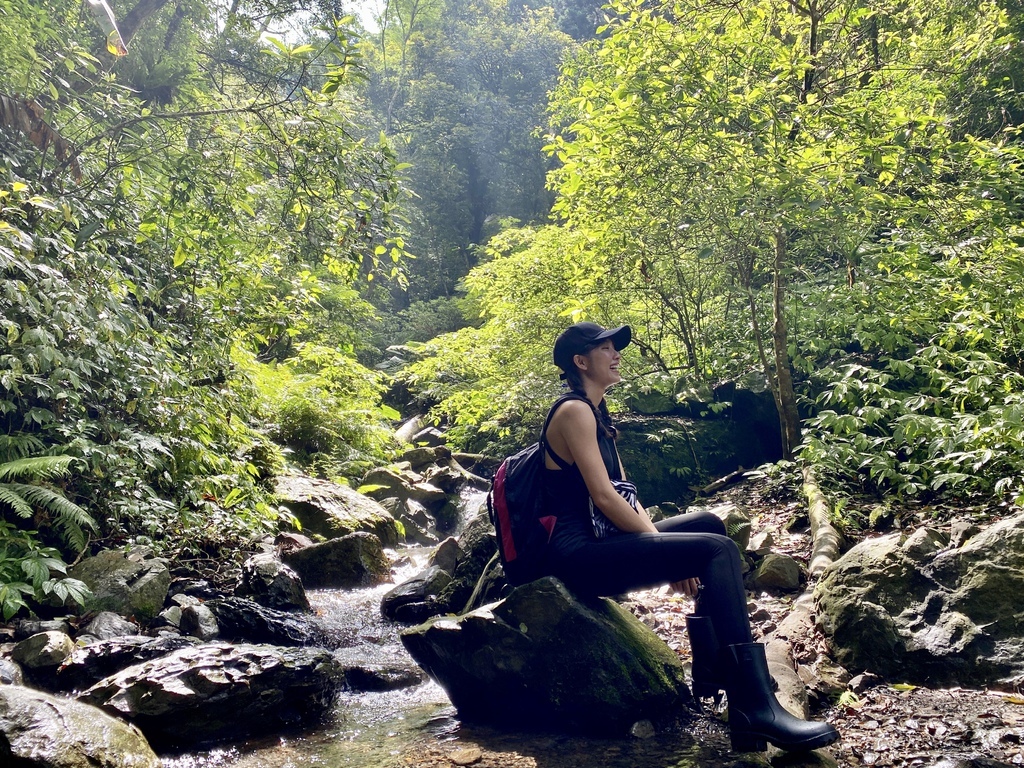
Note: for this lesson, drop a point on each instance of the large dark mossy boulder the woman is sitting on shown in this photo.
(543, 658)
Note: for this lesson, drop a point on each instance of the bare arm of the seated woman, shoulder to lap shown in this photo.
(575, 426)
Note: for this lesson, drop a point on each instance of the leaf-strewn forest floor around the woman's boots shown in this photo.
(886, 723)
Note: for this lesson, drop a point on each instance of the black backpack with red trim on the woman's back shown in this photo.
(516, 504)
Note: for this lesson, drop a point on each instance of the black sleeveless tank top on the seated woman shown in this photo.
(566, 494)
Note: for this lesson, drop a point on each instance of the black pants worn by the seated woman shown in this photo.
(691, 546)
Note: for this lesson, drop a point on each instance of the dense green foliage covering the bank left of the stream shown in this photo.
(175, 223)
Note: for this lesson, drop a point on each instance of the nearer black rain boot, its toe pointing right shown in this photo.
(756, 717)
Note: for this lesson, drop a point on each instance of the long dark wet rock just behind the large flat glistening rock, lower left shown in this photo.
(90, 664)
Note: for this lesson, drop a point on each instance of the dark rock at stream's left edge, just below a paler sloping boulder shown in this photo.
(354, 561)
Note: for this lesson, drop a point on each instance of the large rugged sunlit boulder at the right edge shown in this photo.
(917, 610)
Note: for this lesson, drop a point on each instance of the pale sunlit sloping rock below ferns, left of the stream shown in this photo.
(334, 510)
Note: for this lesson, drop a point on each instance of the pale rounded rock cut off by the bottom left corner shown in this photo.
(37, 730)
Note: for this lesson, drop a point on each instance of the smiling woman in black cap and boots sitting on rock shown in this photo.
(606, 544)
